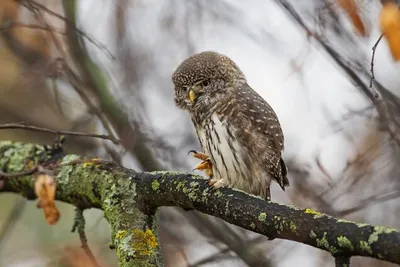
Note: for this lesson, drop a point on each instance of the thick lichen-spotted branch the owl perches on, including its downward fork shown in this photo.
(130, 201)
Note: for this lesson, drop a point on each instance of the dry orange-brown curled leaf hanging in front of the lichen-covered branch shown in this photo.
(45, 190)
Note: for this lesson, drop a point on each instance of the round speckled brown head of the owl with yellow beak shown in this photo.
(204, 79)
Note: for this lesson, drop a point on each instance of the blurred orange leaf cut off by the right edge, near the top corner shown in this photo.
(390, 27)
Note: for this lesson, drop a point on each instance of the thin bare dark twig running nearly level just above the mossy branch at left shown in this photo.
(40, 129)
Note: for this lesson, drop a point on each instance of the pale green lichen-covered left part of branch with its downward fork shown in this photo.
(89, 184)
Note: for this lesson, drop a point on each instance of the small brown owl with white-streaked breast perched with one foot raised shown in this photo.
(239, 132)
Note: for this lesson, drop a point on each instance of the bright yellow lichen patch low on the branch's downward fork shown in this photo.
(143, 242)
